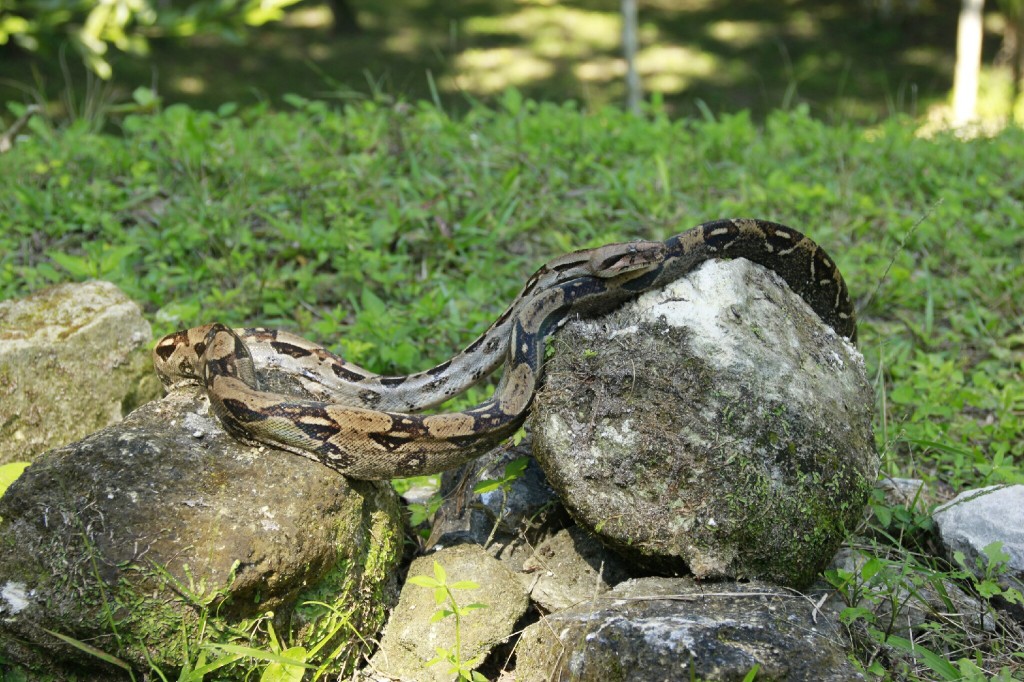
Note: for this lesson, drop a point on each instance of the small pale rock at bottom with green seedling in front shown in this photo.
(412, 640)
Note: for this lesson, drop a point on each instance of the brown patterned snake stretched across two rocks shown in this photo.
(368, 427)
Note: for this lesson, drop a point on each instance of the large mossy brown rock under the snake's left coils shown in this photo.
(161, 532)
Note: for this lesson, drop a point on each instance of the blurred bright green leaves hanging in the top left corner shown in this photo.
(127, 25)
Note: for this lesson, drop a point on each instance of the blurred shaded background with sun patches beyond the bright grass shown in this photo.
(856, 61)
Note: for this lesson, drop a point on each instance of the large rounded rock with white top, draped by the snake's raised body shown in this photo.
(716, 425)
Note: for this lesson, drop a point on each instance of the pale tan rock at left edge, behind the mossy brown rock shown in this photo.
(73, 360)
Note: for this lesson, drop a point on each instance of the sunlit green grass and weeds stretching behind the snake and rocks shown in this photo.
(396, 234)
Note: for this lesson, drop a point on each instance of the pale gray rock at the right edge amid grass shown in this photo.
(975, 520)
